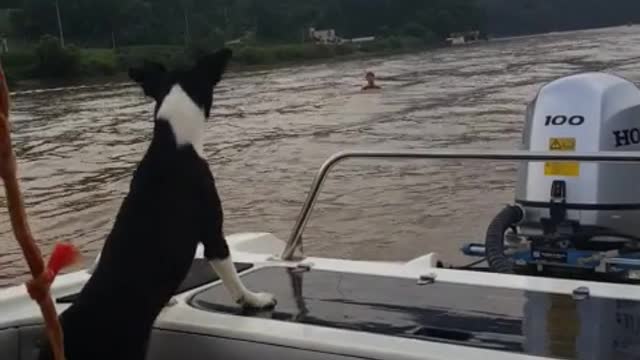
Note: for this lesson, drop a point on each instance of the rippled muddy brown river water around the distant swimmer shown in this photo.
(271, 130)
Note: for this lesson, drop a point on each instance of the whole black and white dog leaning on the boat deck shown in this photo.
(172, 206)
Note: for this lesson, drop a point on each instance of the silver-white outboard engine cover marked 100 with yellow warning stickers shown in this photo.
(589, 112)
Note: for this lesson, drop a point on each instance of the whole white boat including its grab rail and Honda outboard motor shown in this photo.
(534, 299)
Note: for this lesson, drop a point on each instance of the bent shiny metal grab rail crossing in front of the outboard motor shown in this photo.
(296, 234)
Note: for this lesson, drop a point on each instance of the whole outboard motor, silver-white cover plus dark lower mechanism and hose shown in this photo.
(571, 217)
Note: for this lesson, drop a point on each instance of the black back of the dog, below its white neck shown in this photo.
(148, 253)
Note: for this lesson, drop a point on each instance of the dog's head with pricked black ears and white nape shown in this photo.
(183, 97)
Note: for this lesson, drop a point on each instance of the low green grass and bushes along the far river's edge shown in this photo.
(48, 60)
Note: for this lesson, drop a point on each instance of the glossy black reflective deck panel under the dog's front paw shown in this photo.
(534, 323)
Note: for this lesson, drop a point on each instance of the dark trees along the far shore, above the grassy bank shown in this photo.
(104, 23)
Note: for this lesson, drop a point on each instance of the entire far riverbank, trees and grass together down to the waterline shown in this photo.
(104, 37)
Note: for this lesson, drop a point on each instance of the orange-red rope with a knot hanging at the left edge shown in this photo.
(63, 255)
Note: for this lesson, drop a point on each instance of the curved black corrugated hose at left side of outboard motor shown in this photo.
(494, 241)
